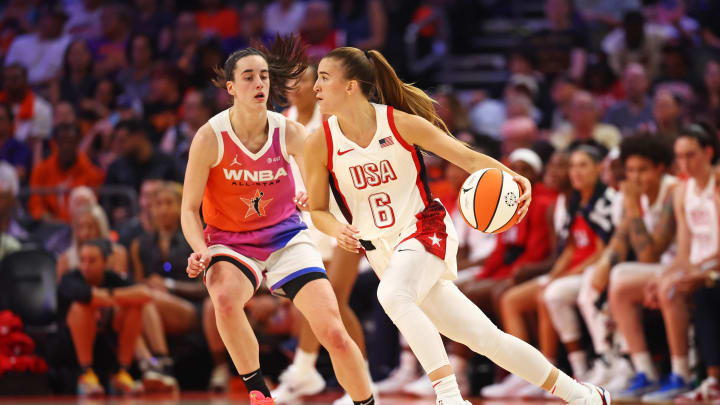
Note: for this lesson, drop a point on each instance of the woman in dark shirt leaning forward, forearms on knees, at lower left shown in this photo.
(88, 293)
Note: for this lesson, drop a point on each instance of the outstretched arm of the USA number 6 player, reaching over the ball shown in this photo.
(419, 131)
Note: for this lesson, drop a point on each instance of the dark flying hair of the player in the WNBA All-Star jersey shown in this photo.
(286, 61)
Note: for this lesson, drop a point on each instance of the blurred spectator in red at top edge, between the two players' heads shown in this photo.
(318, 32)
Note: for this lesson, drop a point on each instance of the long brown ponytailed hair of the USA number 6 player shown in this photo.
(378, 81)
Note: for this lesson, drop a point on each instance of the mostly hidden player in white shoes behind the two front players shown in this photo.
(301, 378)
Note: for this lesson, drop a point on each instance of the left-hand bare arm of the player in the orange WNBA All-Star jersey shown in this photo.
(203, 154)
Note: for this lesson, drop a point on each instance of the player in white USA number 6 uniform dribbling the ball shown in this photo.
(372, 154)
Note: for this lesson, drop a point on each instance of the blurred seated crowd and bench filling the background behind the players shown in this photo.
(610, 108)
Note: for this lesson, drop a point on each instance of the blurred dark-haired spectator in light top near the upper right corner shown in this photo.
(637, 42)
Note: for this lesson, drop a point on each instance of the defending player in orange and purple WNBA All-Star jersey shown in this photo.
(239, 170)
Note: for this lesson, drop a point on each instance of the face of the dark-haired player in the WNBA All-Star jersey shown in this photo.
(251, 82)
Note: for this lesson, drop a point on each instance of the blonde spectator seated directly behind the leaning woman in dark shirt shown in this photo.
(89, 223)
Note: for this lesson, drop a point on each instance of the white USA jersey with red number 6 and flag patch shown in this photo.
(379, 188)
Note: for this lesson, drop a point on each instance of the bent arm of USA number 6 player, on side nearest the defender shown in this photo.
(318, 185)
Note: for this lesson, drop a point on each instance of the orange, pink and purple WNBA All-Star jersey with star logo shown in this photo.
(248, 201)
